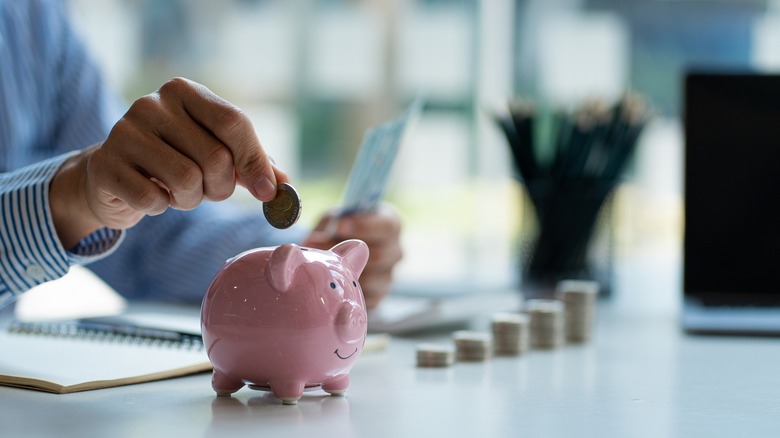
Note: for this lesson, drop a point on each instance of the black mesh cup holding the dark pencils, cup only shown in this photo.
(566, 233)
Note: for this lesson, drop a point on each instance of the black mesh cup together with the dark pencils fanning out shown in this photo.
(569, 175)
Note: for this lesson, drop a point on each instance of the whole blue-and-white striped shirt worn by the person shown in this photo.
(53, 102)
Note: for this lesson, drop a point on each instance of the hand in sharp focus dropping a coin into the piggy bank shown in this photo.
(174, 148)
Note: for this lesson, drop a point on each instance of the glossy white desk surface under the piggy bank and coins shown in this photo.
(640, 376)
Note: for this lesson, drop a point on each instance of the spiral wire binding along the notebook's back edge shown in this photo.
(108, 333)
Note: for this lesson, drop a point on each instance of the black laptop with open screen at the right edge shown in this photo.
(731, 247)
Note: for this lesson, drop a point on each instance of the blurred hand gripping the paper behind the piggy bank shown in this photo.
(381, 230)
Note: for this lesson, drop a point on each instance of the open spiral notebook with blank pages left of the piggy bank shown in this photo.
(75, 356)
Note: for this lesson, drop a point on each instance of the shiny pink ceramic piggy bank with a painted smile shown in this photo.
(286, 319)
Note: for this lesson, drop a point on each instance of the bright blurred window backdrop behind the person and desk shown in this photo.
(315, 74)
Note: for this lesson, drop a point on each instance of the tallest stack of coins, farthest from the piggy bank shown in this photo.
(579, 298)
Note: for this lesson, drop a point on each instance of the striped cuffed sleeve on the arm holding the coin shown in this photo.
(30, 251)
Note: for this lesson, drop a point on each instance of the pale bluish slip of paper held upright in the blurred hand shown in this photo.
(371, 171)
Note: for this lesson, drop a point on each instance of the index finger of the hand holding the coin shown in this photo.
(233, 128)
